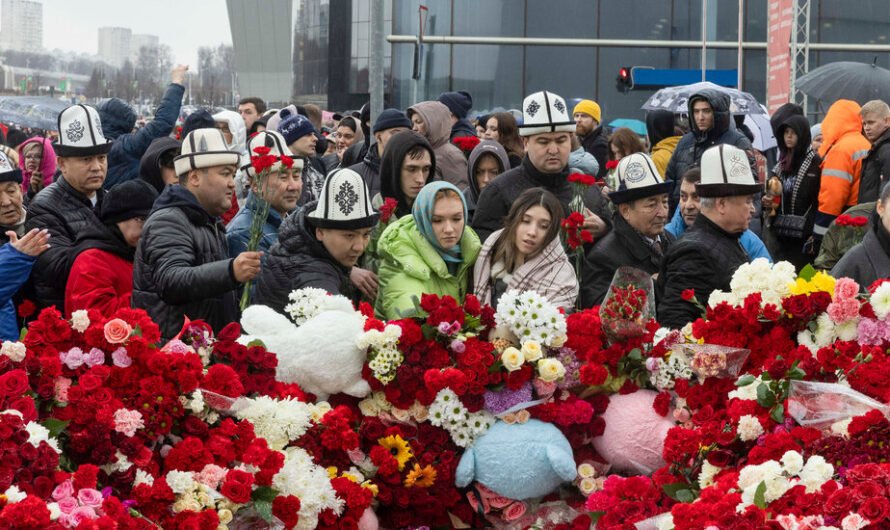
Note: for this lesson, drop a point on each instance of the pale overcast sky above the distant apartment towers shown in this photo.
(184, 25)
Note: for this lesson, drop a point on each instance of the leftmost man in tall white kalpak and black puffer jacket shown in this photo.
(69, 205)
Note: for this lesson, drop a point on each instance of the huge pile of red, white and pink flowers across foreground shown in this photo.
(771, 410)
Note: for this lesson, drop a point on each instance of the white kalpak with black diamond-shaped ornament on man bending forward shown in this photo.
(344, 203)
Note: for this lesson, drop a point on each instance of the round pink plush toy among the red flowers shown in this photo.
(634, 436)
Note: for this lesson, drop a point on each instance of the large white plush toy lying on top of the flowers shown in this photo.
(321, 355)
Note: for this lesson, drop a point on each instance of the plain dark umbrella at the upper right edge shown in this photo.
(846, 80)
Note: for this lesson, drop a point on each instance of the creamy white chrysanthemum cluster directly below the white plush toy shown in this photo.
(278, 421)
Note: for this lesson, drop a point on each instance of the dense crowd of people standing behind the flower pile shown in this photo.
(427, 200)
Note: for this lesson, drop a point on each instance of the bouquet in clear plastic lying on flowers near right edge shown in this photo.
(823, 405)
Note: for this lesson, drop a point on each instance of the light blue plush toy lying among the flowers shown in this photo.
(518, 461)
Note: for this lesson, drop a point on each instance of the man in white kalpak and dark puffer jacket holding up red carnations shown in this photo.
(182, 268)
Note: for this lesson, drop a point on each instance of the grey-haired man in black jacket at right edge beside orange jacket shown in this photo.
(876, 166)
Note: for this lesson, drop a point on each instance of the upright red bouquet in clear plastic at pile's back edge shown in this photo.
(629, 304)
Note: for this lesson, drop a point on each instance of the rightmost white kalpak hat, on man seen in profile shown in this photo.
(725, 172)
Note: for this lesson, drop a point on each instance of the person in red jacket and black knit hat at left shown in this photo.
(101, 277)
